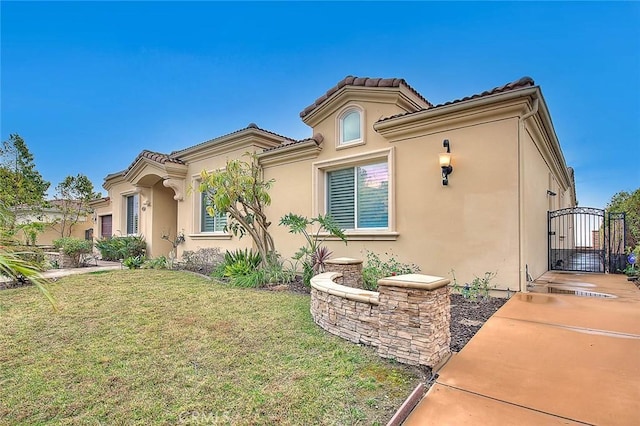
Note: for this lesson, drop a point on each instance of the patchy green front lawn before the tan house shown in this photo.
(163, 347)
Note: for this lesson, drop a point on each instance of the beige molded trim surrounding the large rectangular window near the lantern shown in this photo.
(319, 190)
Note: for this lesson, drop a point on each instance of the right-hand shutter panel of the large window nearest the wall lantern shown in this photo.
(373, 196)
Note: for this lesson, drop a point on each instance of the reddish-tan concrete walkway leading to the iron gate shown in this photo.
(547, 358)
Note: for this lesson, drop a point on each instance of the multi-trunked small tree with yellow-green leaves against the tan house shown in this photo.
(241, 191)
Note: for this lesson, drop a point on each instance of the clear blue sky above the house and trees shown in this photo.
(88, 85)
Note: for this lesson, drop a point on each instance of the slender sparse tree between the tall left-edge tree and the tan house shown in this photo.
(73, 196)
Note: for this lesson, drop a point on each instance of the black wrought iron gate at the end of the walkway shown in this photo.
(586, 239)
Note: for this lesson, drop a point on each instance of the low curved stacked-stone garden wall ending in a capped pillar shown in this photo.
(408, 320)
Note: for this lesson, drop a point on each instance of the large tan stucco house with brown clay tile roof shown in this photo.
(372, 163)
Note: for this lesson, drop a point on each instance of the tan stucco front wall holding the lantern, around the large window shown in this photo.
(470, 226)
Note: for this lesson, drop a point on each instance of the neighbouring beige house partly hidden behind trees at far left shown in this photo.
(51, 217)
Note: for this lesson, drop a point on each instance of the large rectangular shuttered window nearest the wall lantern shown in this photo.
(358, 197)
